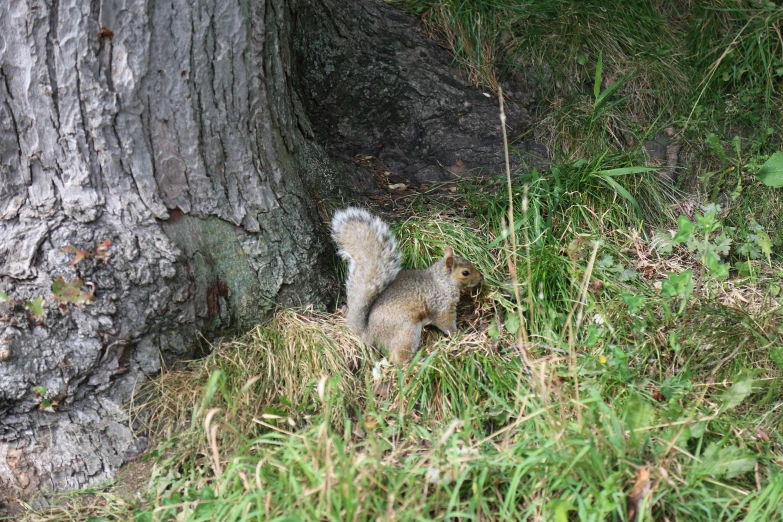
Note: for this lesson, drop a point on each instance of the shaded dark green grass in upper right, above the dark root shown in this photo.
(692, 67)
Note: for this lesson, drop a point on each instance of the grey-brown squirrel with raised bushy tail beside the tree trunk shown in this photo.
(388, 306)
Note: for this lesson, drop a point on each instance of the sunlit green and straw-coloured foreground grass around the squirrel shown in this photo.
(284, 424)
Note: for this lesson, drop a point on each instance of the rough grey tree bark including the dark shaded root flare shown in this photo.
(195, 136)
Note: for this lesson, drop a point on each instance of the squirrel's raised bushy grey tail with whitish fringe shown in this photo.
(368, 245)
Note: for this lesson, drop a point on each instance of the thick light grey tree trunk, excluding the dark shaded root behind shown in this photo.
(167, 128)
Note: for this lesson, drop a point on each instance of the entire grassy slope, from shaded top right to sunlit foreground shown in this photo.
(632, 380)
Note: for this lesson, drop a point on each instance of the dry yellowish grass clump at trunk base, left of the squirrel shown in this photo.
(268, 375)
